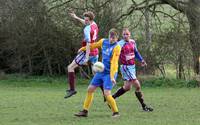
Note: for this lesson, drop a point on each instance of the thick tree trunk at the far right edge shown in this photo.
(193, 15)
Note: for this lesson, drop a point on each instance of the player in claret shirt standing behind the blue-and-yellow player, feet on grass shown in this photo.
(128, 54)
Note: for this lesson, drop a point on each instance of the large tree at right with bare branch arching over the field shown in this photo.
(191, 8)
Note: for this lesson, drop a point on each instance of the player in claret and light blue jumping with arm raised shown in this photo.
(90, 32)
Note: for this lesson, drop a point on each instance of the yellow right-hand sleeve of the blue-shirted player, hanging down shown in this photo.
(114, 61)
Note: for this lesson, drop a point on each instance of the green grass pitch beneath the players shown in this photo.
(40, 101)
